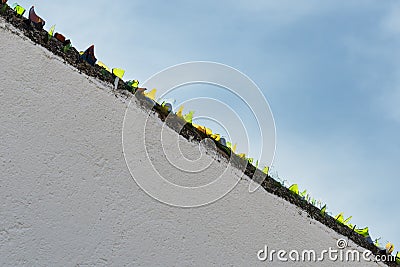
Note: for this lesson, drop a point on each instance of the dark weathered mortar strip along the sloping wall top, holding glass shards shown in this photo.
(40, 36)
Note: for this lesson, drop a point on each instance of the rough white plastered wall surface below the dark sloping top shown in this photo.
(68, 198)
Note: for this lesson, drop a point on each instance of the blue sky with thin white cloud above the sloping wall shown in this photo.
(330, 71)
